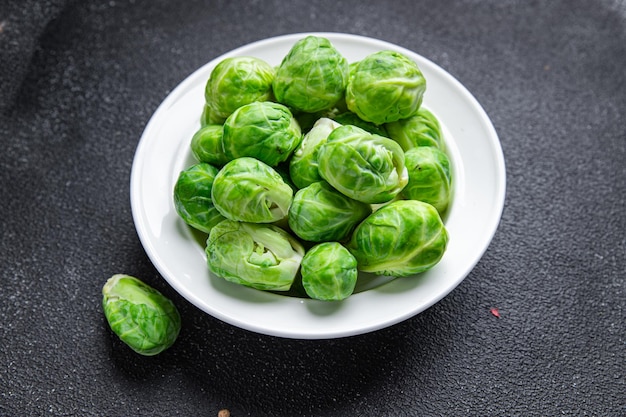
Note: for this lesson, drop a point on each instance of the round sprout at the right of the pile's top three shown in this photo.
(384, 87)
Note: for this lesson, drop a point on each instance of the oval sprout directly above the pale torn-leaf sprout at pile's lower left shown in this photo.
(248, 190)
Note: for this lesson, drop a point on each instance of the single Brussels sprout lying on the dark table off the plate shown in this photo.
(139, 315)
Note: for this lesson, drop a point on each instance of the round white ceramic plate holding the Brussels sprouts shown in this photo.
(178, 253)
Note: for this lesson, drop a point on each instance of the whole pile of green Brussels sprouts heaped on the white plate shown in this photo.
(317, 169)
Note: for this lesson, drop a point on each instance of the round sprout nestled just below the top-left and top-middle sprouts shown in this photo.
(265, 130)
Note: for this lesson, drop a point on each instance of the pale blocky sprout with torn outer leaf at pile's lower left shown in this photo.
(260, 256)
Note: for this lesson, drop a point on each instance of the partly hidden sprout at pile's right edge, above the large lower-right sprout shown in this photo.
(429, 177)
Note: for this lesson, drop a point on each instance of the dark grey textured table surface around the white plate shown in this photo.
(78, 83)
